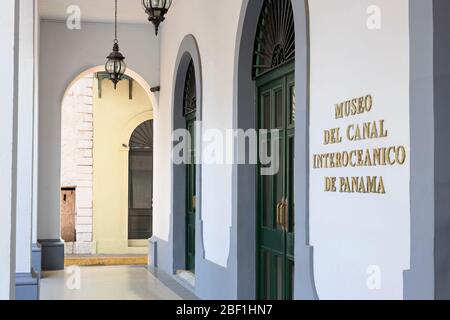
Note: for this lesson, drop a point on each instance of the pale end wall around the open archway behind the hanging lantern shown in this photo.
(64, 54)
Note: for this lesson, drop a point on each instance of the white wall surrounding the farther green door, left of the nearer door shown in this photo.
(213, 23)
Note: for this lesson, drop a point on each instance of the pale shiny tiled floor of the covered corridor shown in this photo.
(110, 283)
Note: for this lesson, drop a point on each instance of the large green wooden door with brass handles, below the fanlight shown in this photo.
(275, 225)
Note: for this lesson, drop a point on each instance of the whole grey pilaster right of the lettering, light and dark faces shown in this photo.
(429, 276)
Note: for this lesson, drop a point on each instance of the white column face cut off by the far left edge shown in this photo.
(8, 123)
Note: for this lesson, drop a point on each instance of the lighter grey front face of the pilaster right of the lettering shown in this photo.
(419, 280)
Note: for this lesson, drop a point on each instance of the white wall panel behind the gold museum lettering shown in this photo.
(351, 232)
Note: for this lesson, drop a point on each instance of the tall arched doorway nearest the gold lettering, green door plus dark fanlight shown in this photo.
(273, 71)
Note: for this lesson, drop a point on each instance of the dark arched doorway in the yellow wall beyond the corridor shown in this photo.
(140, 180)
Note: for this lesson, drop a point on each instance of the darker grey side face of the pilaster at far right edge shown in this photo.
(442, 148)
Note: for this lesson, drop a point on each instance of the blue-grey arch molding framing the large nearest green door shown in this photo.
(243, 242)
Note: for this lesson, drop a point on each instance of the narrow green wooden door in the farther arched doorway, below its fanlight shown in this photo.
(190, 197)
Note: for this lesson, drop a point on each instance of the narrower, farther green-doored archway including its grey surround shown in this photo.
(187, 252)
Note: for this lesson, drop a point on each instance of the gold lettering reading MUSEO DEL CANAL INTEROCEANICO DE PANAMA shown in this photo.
(358, 158)
